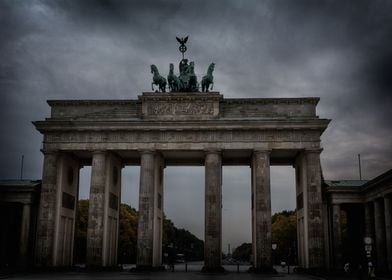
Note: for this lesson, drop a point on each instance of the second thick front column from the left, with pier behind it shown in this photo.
(102, 232)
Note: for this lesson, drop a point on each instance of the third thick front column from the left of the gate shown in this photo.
(149, 245)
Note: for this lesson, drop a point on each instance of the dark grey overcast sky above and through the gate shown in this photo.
(340, 51)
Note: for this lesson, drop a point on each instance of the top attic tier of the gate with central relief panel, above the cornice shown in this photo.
(189, 106)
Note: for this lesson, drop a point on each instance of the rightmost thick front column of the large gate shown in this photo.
(314, 209)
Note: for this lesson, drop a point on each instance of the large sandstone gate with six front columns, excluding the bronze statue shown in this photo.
(178, 128)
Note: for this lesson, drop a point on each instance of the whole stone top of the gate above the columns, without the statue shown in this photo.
(168, 121)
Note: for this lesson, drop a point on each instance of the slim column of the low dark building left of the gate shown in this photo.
(25, 236)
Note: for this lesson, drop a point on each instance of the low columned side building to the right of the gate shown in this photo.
(359, 221)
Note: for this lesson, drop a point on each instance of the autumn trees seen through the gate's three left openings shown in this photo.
(184, 241)
